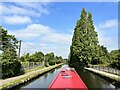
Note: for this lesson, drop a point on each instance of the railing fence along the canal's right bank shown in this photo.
(106, 69)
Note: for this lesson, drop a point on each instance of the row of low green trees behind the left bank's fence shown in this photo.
(48, 59)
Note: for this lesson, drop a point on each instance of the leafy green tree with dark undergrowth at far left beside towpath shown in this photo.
(10, 65)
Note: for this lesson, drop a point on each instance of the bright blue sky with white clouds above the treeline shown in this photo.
(49, 26)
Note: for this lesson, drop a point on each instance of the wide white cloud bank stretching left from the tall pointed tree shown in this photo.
(45, 33)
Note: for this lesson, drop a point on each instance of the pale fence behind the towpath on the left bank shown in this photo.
(30, 65)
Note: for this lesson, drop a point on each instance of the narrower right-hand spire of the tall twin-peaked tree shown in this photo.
(92, 38)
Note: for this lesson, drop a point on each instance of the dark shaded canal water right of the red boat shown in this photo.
(93, 81)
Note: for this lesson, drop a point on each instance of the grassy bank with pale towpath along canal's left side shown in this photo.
(7, 83)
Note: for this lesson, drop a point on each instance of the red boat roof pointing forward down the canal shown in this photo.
(68, 79)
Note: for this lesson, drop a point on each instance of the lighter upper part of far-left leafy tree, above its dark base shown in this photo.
(9, 45)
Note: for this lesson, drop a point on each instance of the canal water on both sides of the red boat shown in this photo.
(91, 80)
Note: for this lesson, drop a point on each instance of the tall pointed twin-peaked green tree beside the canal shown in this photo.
(84, 46)
